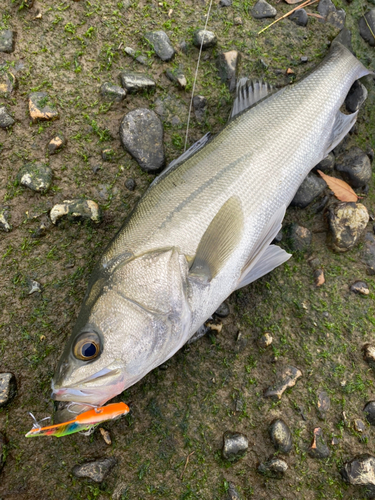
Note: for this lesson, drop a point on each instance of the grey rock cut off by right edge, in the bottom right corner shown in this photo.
(361, 471)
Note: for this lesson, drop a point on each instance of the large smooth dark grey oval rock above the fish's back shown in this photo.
(141, 134)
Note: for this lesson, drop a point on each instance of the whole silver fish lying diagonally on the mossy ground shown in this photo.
(203, 229)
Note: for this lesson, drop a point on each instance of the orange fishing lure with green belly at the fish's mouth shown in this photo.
(83, 422)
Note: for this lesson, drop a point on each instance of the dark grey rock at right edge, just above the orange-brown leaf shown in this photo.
(354, 167)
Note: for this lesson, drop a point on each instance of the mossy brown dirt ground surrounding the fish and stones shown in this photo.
(180, 412)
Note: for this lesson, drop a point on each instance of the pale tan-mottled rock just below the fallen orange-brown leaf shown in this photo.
(347, 222)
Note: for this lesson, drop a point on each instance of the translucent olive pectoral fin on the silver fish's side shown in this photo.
(219, 241)
